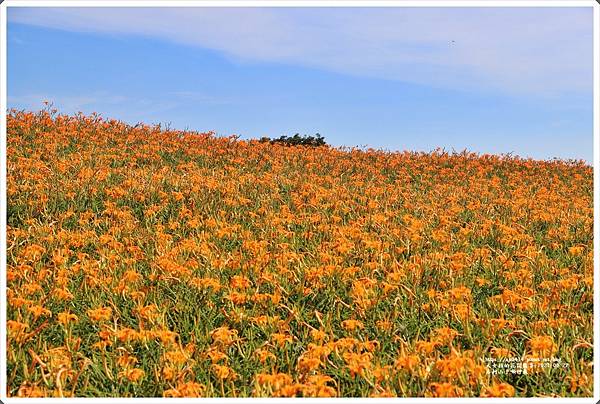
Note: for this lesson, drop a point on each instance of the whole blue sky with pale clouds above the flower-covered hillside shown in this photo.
(489, 80)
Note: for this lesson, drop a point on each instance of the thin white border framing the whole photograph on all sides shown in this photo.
(296, 3)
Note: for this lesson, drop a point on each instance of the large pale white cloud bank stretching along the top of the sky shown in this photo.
(526, 51)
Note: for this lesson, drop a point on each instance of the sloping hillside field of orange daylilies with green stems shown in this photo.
(152, 262)
